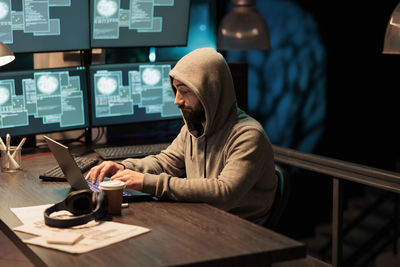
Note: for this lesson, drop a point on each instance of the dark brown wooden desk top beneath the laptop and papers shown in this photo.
(192, 234)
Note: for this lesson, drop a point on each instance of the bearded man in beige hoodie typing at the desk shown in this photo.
(224, 154)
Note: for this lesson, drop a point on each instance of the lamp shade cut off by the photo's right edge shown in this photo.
(391, 44)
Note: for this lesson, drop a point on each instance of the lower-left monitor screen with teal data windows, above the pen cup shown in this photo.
(43, 101)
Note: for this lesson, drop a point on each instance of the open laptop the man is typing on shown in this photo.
(75, 177)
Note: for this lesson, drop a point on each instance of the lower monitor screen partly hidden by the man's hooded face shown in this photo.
(128, 93)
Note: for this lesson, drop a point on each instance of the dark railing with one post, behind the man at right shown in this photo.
(339, 170)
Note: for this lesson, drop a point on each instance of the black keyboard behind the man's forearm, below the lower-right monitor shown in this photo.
(131, 151)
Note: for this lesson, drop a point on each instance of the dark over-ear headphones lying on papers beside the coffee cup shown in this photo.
(84, 204)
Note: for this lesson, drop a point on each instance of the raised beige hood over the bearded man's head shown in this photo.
(206, 72)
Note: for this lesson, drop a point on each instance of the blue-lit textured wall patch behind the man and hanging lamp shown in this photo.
(287, 83)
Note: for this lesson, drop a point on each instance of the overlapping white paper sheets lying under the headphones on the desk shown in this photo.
(95, 234)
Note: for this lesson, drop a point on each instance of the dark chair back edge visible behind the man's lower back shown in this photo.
(281, 198)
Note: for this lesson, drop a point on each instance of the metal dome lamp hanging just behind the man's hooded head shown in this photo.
(243, 28)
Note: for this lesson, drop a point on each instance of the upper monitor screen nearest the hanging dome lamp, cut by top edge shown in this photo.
(138, 23)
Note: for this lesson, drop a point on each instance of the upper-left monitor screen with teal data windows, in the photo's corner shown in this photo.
(45, 25)
